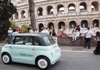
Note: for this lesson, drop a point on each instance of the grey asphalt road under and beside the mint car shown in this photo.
(69, 61)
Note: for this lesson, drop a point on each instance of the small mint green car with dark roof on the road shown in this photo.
(37, 49)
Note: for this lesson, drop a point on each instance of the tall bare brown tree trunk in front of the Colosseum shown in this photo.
(32, 13)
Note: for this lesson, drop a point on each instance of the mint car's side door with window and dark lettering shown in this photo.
(22, 49)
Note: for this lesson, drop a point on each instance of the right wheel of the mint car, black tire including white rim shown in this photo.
(43, 63)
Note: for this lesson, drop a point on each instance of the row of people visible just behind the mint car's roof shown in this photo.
(11, 32)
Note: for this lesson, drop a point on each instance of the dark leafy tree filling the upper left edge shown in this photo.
(6, 11)
